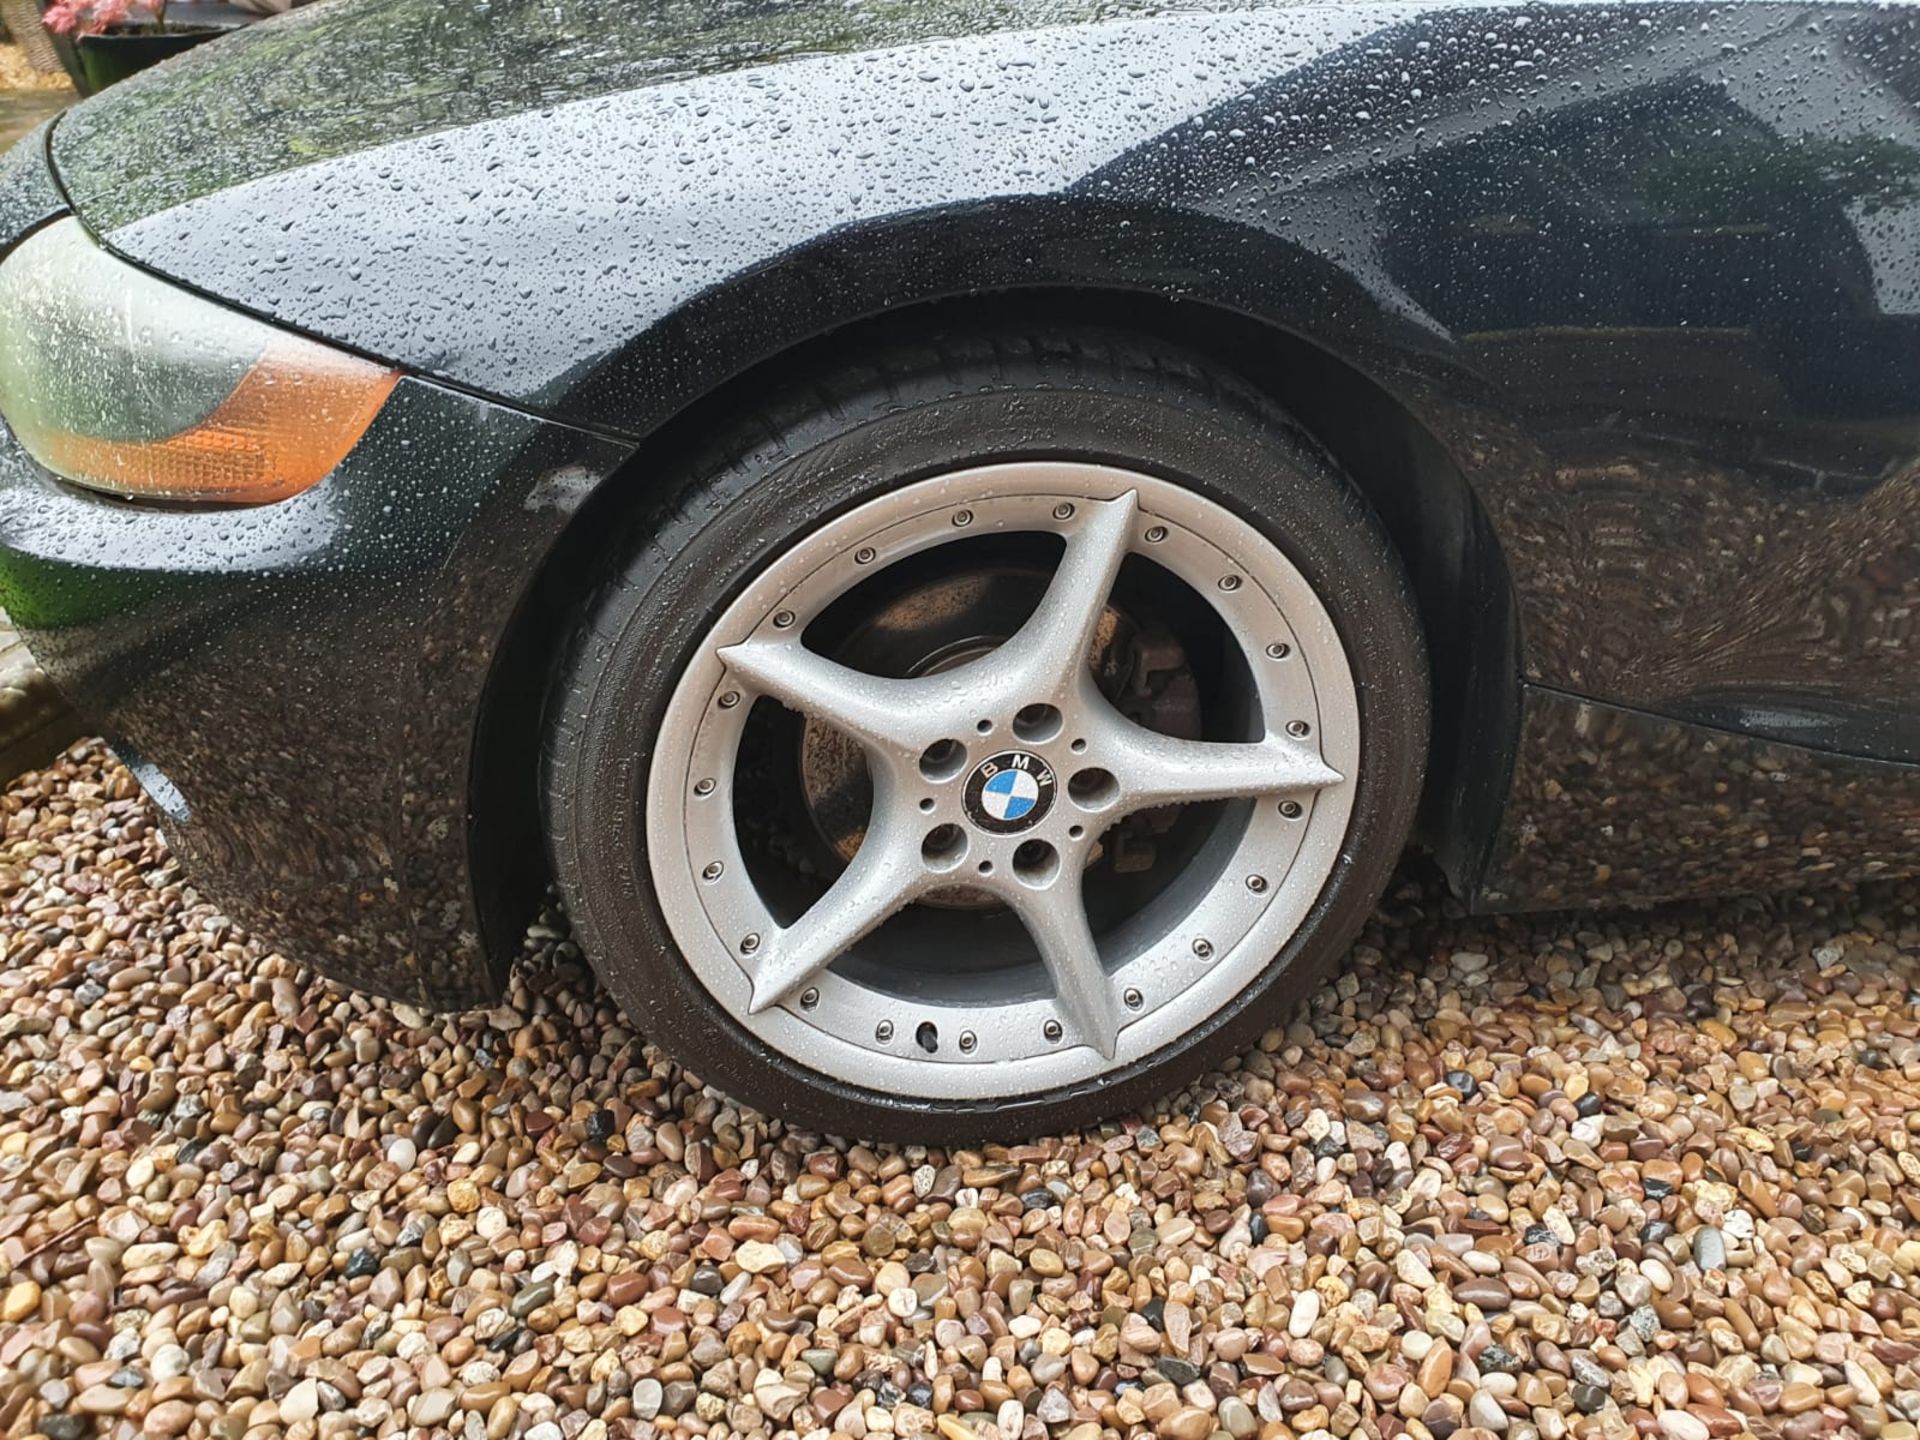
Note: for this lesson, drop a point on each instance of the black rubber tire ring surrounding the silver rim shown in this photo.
(652, 615)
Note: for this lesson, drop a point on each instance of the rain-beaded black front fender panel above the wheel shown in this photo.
(1650, 274)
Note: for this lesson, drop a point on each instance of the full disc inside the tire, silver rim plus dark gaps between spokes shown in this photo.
(961, 942)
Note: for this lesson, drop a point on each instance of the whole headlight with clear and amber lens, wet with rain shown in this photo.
(124, 383)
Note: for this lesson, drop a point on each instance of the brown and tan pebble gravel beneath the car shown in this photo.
(1643, 1176)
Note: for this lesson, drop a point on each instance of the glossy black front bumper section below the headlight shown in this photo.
(299, 684)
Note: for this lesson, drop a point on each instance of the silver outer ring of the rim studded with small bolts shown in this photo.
(838, 1036)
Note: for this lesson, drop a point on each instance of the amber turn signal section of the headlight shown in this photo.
(283, 429)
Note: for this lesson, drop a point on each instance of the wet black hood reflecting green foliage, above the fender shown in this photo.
(350, 76)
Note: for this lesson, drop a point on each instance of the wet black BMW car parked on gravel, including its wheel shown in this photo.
(967, 539)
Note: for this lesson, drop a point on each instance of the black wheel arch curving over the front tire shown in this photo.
(1420, 492)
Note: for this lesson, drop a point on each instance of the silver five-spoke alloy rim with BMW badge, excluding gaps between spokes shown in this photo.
(1005, 773)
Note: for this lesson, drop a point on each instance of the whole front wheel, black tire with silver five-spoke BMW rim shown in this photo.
(1007, 734)
